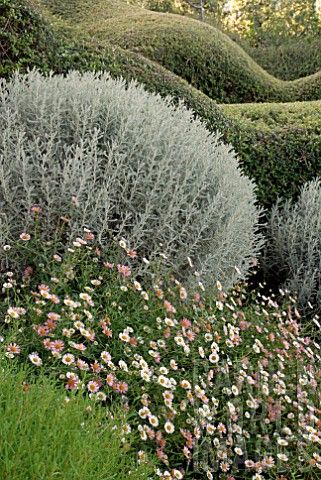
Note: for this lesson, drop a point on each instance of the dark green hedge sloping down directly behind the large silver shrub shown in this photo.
(31, 41)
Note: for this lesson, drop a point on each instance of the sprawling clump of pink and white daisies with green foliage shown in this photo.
(218, 386)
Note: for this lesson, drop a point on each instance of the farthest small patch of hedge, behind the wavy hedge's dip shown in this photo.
(291, 59)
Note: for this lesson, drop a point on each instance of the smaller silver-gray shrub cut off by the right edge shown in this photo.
(293, 247)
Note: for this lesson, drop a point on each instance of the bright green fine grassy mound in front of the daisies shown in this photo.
(45, 438)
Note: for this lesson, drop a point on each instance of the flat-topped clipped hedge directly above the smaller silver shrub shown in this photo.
(279, 145)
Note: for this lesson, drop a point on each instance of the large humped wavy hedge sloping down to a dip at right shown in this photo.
(198, 52)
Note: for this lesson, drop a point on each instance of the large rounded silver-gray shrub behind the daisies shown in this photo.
(139, 168)
